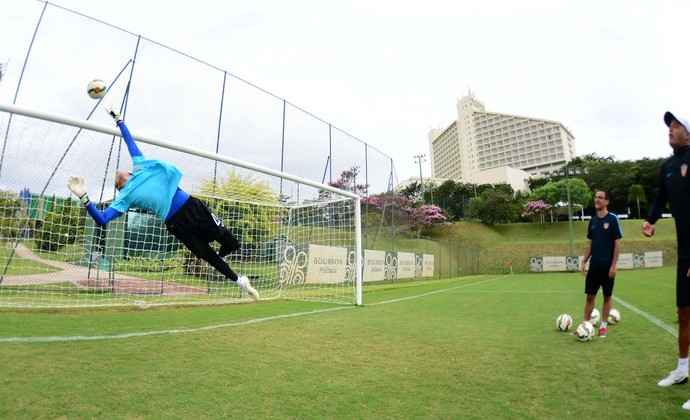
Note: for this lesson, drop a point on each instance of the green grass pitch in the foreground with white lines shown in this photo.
(474, 347)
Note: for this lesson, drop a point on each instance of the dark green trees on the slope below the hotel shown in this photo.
(630, 184)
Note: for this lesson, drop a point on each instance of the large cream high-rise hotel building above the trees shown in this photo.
(483, 147)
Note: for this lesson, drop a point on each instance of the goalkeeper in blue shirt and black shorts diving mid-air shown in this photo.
(153, 185)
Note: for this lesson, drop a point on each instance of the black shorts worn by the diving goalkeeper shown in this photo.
(195, 226)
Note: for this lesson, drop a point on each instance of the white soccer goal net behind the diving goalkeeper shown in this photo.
(299, 239)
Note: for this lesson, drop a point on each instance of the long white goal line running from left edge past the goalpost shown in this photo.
(213, 327)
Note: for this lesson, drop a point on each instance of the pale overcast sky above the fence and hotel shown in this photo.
(388, 71)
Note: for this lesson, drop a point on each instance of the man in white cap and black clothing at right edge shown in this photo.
(674, 189)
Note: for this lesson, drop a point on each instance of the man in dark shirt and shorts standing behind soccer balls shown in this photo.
(603, 248)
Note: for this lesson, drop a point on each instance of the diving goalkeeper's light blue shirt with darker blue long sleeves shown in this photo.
(153, 186)
